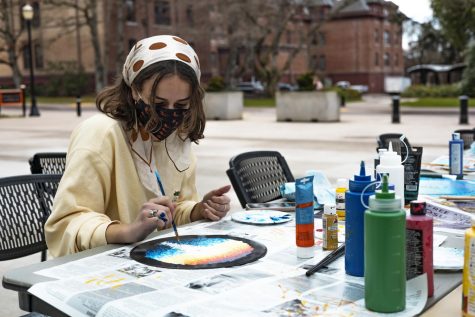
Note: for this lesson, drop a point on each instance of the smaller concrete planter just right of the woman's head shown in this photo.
(226, 105)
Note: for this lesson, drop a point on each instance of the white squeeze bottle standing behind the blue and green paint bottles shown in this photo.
(390, 163)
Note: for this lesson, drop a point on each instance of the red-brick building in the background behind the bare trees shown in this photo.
(360, 43)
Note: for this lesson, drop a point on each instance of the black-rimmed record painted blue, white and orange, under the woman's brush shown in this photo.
(198, 252)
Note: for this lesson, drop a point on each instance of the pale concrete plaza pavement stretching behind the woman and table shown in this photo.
(335, 148)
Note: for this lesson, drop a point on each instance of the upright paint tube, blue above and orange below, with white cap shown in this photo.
(304, 218)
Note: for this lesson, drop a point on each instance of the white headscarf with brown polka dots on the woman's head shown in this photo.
(155, 49)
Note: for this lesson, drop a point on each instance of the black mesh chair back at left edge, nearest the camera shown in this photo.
(25, 204)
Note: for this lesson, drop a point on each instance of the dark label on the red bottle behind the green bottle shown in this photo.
(414, 253)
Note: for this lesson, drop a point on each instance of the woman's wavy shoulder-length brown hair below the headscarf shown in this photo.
(117, 101)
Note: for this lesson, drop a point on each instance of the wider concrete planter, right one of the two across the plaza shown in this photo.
(313, 106)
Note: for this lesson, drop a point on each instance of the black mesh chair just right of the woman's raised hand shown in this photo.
(256, 176)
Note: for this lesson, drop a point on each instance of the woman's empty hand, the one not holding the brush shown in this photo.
(214, 206)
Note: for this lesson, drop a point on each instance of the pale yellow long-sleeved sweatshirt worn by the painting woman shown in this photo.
(100, 185)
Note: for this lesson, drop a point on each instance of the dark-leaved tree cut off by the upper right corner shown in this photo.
(457, 18)
